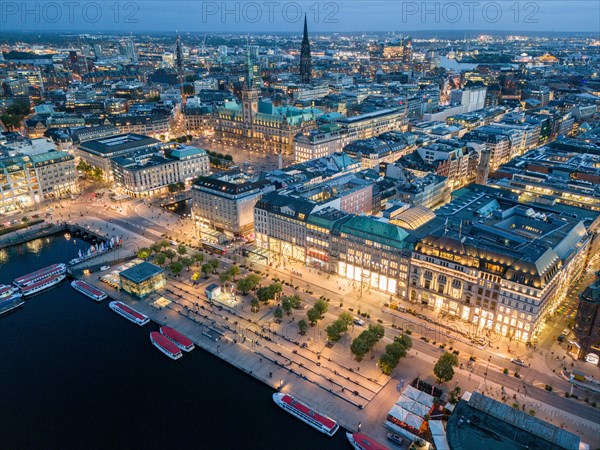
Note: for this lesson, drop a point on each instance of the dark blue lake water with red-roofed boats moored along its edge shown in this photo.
(75, 375)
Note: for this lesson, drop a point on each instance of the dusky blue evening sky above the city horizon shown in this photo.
(273, 15)
